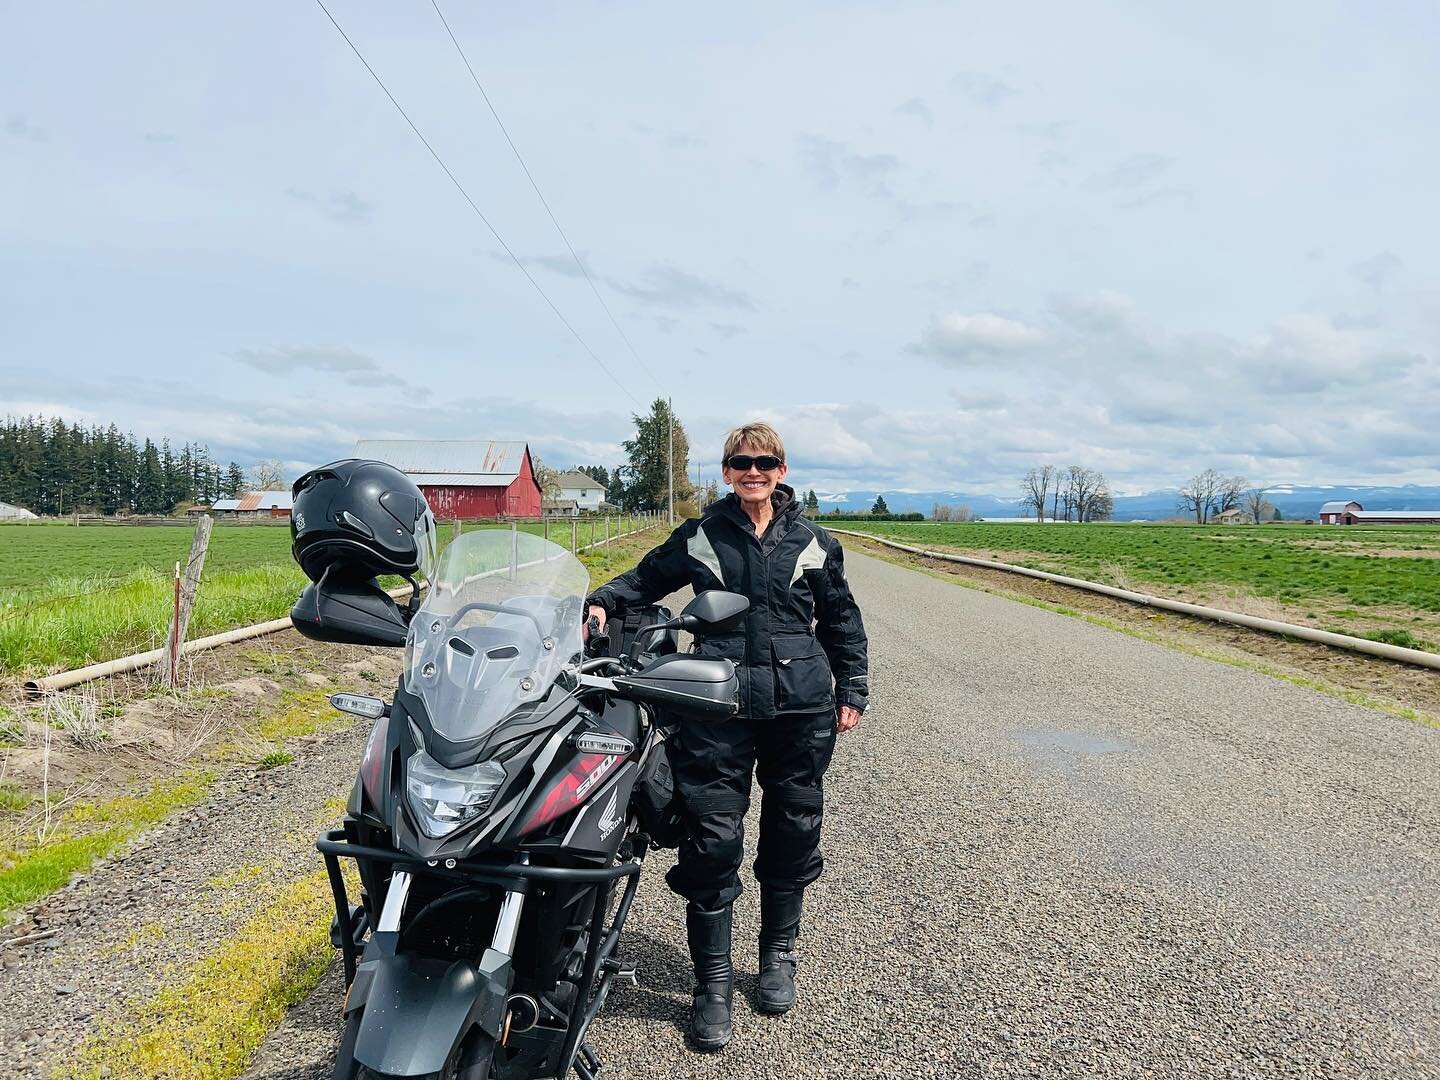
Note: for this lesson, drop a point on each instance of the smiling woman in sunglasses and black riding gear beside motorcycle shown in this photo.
(801, 657)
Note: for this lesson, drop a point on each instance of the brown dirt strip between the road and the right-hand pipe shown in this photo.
(1399, 685)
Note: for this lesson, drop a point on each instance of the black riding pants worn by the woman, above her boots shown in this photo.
(712, 762)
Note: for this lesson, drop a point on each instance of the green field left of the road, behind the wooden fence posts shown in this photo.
(78, 595)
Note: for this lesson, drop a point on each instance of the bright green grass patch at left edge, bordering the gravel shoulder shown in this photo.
(90, 832)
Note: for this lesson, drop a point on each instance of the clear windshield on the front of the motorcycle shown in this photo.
(499, 623)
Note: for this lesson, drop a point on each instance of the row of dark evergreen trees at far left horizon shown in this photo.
(53, 467)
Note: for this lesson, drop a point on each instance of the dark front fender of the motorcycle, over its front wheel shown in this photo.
(418, 1009)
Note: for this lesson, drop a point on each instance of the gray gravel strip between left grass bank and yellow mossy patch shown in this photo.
(142, 918)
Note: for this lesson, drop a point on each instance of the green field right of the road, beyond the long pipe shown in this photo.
(1376, 581)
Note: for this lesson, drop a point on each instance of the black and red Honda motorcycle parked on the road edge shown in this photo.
(503, 810)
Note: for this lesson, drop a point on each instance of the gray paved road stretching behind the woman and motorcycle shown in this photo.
(1056, 850)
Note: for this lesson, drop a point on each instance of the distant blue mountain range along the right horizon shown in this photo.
(1294, 502)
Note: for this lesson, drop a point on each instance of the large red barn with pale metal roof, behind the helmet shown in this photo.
(464, 479)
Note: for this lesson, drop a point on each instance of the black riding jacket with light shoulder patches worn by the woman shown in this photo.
(803, 647)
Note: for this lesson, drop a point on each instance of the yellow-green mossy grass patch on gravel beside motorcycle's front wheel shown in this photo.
(211, 1023)
